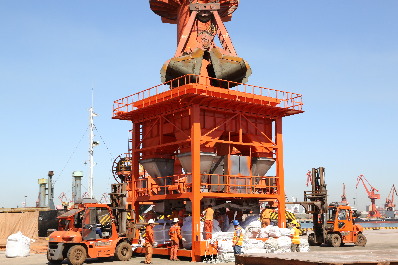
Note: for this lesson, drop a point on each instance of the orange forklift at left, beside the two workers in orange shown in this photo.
(91, 230)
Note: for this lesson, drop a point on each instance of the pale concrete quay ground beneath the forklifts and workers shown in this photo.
(378, 240)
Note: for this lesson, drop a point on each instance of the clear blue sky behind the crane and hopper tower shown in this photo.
(341, 55)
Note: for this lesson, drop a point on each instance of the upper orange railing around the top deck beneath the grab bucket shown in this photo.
(284, 99)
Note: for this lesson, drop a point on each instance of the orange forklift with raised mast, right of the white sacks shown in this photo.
(334, 223)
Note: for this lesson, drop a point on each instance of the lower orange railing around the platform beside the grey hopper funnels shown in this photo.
(233, 184)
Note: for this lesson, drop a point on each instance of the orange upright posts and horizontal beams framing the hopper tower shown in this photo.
(196, 195)
